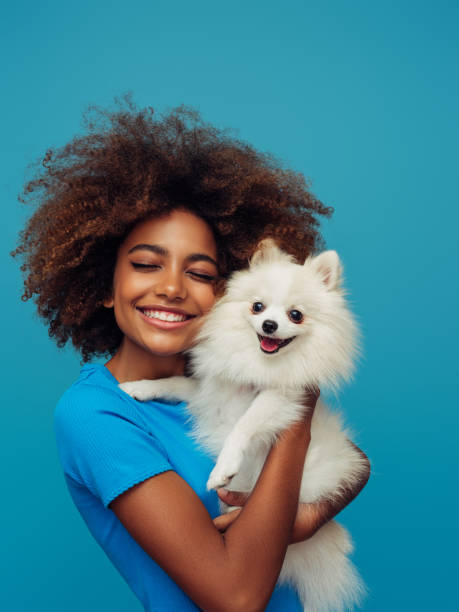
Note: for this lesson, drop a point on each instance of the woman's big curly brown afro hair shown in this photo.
(131, 165)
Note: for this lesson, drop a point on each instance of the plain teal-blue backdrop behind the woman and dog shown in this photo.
(362, 98)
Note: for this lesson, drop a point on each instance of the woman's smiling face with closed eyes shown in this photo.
(163, 284)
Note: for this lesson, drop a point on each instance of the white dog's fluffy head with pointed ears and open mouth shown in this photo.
(284, 320)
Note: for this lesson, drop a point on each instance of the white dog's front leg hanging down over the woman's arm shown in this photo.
(269, 414)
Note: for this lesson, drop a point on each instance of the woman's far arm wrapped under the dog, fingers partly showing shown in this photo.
(310, 517)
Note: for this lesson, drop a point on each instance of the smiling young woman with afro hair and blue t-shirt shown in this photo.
(138, 223)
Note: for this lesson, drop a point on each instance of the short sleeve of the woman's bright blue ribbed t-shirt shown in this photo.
(103, 443)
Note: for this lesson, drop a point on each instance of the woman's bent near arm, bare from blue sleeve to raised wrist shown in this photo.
(236, 570)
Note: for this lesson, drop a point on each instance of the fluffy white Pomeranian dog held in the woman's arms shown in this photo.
(280, 328)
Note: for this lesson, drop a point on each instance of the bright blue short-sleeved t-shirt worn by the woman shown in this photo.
(107, 443)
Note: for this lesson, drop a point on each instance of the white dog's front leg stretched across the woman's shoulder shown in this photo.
(174, 387)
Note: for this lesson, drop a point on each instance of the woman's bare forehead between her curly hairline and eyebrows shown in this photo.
(180, 233)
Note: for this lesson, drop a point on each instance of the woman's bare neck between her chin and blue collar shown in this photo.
(130, 362)
